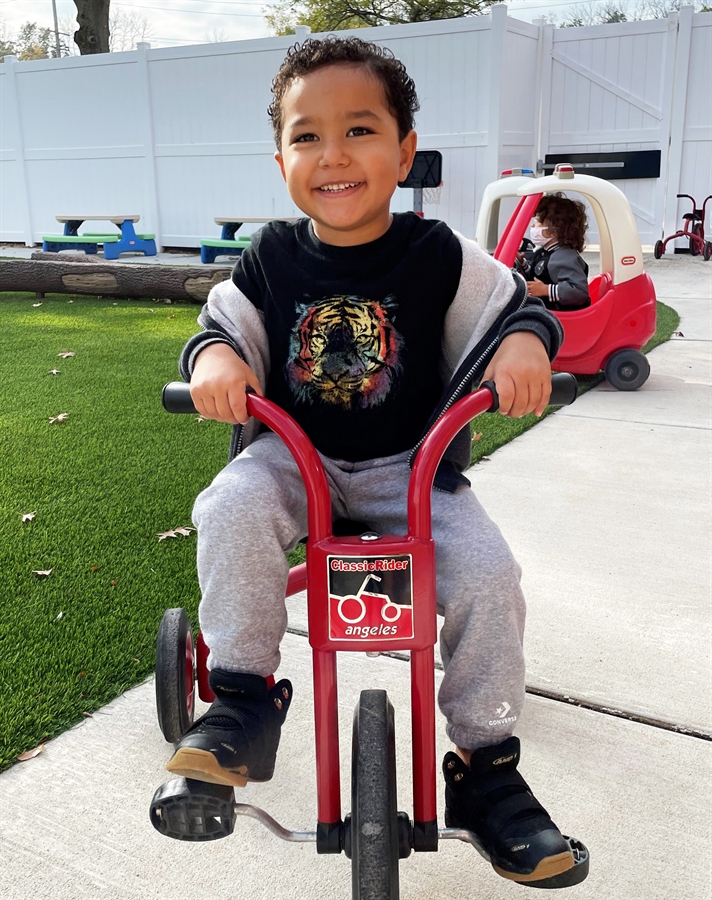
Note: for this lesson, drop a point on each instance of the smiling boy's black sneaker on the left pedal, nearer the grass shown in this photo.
(236, 740)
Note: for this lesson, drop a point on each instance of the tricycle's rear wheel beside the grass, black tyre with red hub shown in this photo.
(175, 675)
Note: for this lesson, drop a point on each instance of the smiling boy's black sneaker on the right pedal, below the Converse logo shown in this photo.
(492, 799)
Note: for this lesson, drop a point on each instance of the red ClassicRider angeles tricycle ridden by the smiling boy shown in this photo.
(343, 619)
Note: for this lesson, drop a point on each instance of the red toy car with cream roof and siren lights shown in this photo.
(610, 333)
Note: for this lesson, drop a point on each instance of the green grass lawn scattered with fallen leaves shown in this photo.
(102, 485)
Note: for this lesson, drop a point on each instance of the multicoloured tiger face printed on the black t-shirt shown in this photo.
(345, 351)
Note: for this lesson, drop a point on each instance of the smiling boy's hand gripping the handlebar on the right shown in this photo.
(521, 372)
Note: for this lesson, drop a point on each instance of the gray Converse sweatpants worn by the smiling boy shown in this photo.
(255, 509)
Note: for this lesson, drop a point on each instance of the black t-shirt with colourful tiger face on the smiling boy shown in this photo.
(354, 332)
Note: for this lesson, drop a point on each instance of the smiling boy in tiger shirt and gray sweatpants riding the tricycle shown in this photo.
(353, 320)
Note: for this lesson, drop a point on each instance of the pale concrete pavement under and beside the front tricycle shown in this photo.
(607, 507)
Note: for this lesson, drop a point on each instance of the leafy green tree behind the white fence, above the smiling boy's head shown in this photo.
(336, 15)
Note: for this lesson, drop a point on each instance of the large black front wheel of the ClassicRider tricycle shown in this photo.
(374, 817)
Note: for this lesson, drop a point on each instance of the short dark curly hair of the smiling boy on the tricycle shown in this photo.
(398, 86)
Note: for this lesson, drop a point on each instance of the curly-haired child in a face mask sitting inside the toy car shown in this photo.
(557, 272)
